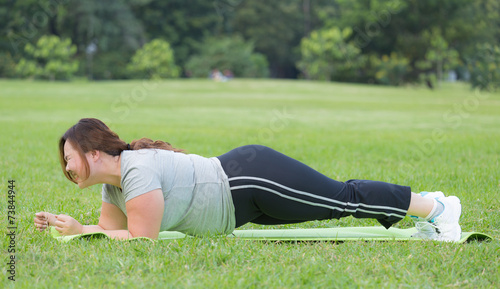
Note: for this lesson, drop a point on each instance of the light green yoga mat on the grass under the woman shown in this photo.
(316, 234)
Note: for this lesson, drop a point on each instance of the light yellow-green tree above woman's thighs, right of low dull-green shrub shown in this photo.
(326, 55)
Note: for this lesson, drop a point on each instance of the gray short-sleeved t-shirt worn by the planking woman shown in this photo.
(195, 190)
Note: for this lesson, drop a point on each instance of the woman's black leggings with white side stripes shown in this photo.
(270, 188)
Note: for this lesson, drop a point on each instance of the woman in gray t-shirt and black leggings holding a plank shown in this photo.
(150, 187)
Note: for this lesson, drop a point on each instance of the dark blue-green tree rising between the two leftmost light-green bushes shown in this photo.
(108, 26)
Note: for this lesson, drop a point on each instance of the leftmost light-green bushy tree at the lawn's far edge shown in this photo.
(51, 58)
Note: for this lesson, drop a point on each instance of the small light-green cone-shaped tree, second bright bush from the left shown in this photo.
(154, 60)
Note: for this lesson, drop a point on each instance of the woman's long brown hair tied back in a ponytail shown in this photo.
(91, 134)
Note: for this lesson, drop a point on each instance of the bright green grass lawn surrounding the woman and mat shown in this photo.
(447, 139)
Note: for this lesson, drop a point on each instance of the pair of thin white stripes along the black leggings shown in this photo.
(314, 196)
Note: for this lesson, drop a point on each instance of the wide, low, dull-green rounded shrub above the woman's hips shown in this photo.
(227, 53)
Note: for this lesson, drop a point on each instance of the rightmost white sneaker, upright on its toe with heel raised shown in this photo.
(446, 224)
